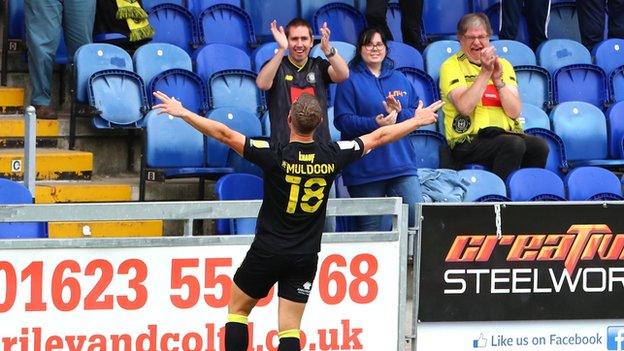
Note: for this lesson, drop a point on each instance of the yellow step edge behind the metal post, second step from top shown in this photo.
(12, 132)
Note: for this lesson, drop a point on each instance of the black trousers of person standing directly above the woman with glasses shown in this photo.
(411, 20)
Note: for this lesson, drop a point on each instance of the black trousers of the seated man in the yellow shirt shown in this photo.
(504, 153)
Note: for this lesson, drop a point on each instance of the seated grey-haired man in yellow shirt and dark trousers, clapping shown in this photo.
(483, 105)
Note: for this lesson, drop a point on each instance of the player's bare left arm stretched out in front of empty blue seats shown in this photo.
(214, 129)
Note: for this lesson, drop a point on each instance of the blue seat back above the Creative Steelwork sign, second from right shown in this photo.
(535, 184)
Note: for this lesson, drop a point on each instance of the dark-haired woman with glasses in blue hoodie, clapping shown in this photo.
(376, 95)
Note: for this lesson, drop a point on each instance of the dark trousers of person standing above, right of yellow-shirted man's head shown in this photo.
(536, 14)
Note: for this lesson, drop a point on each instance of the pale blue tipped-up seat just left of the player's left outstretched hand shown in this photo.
(119, 97)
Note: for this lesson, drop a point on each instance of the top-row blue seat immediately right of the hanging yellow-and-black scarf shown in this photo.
(175, 25)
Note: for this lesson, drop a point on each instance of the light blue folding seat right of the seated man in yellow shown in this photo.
(583, 129)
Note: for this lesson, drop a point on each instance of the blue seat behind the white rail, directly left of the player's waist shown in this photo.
(238, 186)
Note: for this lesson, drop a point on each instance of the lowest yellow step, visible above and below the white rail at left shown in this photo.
(64, 192)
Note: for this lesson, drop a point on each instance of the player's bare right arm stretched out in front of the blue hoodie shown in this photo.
(393, 132)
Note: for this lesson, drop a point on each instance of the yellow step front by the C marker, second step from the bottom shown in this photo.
(51, 164)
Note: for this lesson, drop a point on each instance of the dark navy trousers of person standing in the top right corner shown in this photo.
(591, 14)
